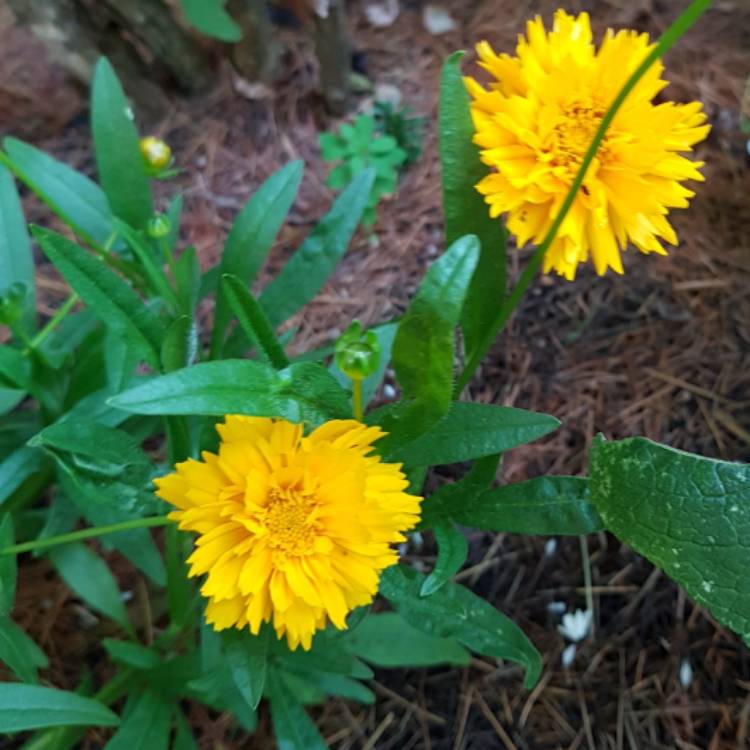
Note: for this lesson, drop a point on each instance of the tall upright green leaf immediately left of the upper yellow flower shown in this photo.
(464, 208)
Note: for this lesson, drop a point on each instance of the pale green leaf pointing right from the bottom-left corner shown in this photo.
(24, 707)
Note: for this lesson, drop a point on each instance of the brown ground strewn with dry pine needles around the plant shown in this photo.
(660, 352)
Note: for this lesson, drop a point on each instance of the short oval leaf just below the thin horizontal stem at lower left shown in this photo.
(90, 578)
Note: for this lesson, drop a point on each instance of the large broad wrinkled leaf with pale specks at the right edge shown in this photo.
(687, 514)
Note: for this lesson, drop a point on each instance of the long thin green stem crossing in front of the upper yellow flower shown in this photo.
(694, 11)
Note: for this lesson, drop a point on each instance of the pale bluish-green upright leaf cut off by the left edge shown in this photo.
(16, 260)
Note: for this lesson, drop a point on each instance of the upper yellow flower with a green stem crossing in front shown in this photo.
(537, 120)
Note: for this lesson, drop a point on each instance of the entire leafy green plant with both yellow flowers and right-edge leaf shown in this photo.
(255, 492)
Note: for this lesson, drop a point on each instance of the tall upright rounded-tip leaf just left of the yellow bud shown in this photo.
(118, 155)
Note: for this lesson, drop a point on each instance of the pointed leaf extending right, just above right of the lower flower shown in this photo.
(471, 430)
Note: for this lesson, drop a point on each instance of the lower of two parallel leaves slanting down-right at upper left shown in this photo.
(105, 292)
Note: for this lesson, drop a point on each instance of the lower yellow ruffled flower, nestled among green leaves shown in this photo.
(291, 529)
